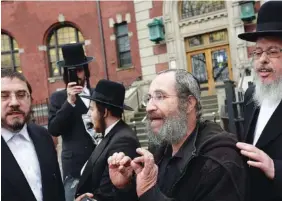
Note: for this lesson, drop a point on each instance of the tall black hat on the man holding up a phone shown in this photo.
(73, 56)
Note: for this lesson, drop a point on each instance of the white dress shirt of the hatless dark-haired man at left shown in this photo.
(24, 152)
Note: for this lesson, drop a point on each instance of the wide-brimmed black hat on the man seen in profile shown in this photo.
(109, 93)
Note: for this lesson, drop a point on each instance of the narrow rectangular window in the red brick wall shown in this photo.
(123, 45)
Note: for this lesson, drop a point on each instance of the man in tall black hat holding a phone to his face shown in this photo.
(65, 115)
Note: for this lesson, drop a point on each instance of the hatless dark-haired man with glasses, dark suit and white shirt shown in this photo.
(30, 170)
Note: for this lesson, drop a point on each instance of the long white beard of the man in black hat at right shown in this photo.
(272, 92)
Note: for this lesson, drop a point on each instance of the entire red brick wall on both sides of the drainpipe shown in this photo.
(30, 22)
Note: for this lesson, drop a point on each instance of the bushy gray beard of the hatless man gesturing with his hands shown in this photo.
(172, 132)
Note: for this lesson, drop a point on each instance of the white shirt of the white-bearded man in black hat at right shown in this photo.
(265, 113)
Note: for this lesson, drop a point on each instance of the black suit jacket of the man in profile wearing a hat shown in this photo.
(95, 177)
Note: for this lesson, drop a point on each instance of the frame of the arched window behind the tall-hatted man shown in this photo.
(57, 47)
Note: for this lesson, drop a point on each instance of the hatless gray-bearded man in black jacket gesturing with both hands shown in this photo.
(194, 160)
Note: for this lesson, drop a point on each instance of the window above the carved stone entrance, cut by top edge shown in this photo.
(190, 8)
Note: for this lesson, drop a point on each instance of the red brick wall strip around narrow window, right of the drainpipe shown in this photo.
(109, 10)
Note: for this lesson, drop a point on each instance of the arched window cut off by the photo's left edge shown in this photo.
(10, 57)
